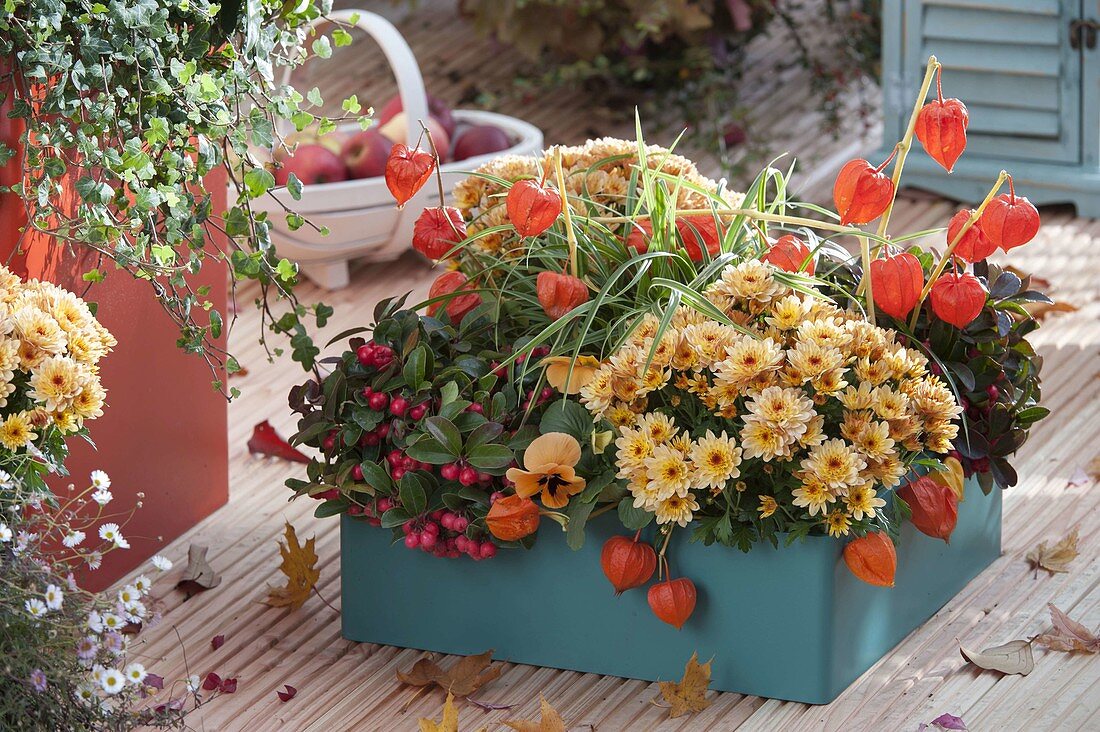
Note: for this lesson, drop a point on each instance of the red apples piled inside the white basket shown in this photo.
(346, 156)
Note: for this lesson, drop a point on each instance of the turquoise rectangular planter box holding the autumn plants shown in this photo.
(789, 624)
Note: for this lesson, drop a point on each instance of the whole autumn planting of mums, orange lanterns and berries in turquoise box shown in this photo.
(681, 357)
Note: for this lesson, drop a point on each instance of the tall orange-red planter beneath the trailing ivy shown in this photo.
(163, 431)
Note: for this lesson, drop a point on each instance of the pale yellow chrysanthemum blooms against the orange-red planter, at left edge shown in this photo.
(51, 345)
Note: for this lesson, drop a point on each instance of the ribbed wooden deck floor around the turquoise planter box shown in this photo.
(347, 686)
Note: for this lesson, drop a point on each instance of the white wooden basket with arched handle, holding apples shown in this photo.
(361, 216)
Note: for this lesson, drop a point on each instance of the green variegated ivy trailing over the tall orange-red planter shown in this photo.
(127, 111)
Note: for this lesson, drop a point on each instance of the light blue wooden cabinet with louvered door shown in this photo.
(1029, 72)
